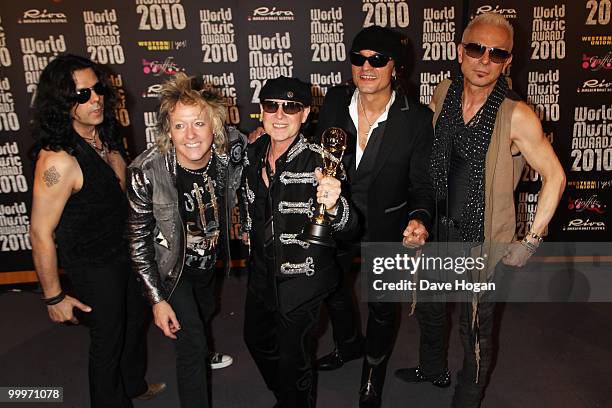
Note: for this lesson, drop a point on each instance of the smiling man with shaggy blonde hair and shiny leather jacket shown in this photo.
(179, 195)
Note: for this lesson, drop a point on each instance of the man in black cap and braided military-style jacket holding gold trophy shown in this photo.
(288, 277)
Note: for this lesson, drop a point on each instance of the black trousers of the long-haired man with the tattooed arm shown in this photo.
(118, 324)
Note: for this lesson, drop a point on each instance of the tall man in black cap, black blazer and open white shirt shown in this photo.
(386, 162)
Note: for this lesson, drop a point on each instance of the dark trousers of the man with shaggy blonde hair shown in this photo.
(193, 303)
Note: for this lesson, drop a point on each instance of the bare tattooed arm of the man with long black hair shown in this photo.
(56, 177)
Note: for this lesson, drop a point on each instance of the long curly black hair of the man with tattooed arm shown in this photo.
(51, 123)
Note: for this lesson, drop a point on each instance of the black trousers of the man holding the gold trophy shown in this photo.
(282, 347)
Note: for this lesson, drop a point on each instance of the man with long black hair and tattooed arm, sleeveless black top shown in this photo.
(79, 204)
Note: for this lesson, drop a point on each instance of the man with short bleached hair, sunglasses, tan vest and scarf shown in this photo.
(483, 136)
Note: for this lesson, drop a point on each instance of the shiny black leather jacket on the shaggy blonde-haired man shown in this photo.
(155, 228)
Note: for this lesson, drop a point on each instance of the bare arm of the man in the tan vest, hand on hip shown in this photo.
(528, 138)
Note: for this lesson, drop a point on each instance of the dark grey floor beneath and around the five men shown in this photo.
(551, 355)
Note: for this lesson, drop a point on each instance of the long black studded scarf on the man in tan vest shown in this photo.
(472, 138)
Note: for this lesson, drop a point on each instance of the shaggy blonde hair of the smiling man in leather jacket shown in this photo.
(189, 91)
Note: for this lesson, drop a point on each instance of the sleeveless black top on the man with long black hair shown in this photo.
(91, 230)
